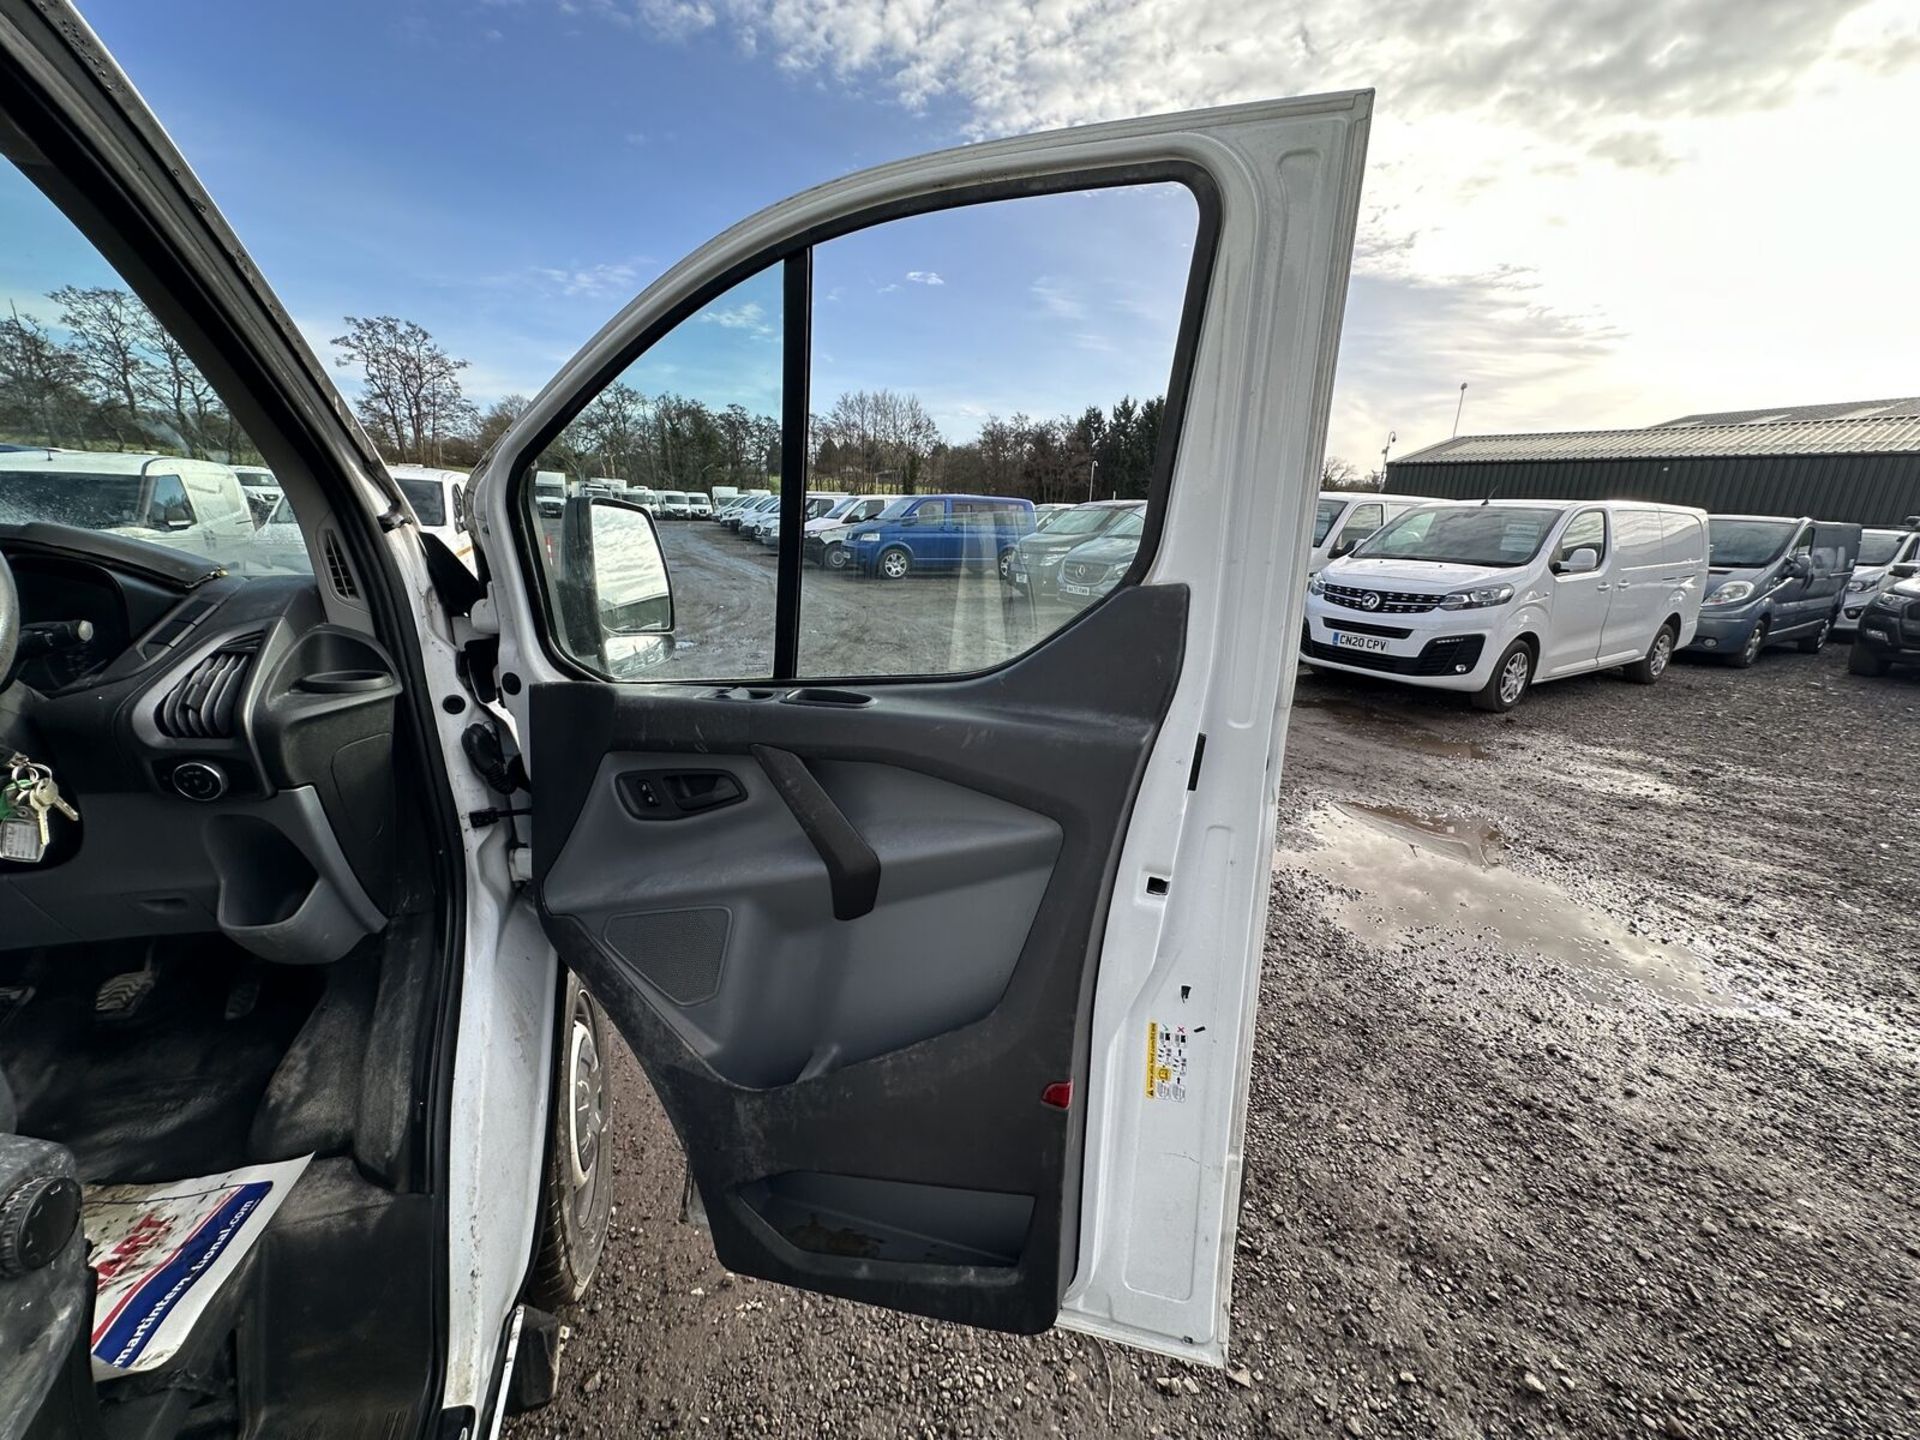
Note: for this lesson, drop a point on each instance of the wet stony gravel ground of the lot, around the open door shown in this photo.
(1587, 1101)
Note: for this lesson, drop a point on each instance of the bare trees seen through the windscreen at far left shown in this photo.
(110, 377)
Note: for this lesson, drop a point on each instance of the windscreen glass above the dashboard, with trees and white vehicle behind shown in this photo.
(105, 421)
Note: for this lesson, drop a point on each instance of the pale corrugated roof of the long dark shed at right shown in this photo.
(1879, 437)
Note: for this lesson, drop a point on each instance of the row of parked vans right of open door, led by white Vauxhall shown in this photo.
(1495, 598)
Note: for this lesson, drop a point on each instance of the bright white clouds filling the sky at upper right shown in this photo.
(1596, 214)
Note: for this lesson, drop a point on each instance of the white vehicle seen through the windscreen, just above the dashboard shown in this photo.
(191, 506)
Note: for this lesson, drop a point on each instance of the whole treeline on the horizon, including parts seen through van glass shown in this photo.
(110, 377)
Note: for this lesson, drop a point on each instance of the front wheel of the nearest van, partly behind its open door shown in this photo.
(577, 1189)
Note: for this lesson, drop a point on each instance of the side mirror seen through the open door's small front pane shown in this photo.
(613, 592)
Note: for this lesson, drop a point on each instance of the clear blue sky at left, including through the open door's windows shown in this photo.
(512, 174)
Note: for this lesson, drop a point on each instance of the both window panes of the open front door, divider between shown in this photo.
(965, 368)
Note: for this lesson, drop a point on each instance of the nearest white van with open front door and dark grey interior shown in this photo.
(308, 1019)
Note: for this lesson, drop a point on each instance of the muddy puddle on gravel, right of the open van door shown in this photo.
(1401, 875)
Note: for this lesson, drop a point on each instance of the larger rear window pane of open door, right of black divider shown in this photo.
(1007, 354)
